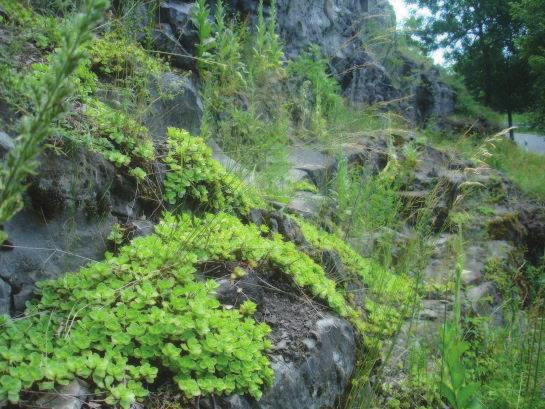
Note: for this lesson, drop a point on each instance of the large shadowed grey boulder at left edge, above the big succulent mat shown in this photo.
(70, 207)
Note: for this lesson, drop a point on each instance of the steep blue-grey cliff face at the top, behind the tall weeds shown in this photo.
(341, 29)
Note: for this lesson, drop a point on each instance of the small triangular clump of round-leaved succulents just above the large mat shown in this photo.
(195, 177)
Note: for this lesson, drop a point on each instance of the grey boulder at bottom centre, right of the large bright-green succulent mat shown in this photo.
(314, 352)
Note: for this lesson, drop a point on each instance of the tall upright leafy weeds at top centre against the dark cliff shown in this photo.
(244, 112)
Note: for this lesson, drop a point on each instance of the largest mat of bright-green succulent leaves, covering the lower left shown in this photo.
(121, 322)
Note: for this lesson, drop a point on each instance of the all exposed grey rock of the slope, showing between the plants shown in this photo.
(73, 202)
